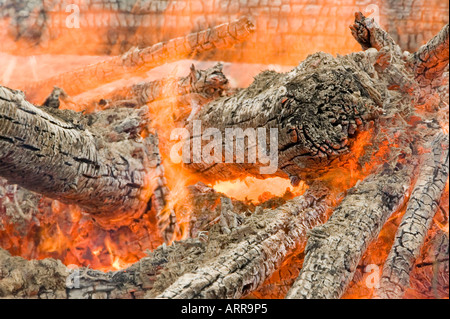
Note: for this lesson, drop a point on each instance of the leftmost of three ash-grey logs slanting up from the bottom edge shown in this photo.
(246, 264)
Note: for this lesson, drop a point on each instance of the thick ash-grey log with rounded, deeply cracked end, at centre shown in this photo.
(318, 109)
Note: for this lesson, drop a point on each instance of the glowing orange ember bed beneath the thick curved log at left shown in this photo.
(51, 229)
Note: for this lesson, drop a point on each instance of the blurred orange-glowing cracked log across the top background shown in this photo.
(293, 27)
